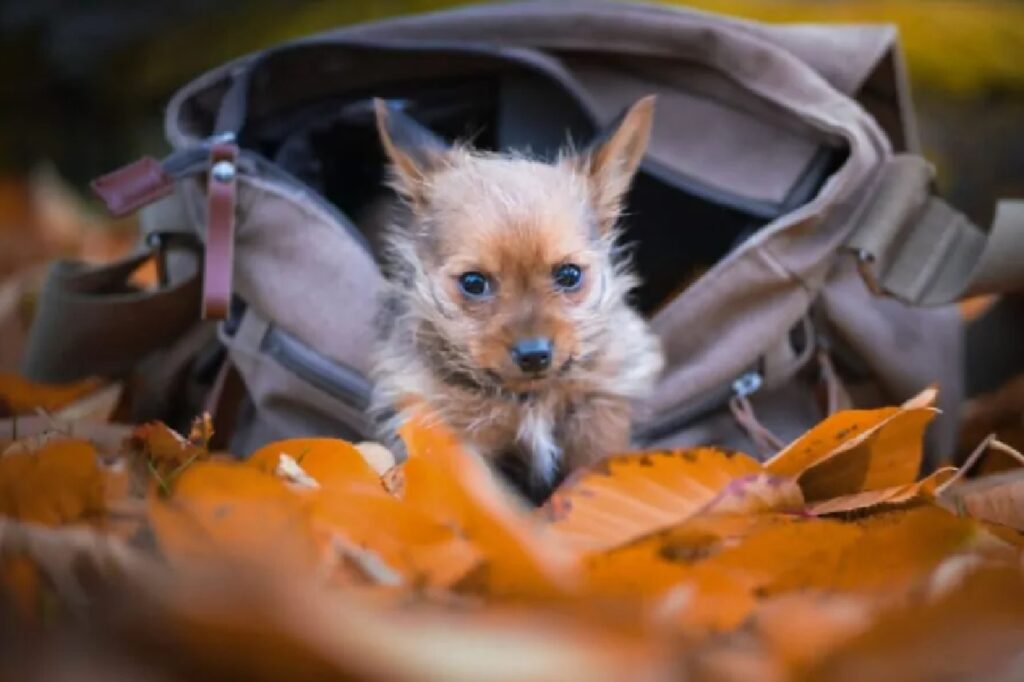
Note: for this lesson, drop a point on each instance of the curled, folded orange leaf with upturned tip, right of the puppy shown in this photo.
(857, 451)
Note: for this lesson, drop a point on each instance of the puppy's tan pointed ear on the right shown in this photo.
(613, 159)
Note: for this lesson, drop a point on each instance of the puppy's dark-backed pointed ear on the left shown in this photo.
(413, 150)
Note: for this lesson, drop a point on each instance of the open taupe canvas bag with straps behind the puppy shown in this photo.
(794, 255)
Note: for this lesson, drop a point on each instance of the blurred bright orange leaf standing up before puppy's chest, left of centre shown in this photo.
(442, 480)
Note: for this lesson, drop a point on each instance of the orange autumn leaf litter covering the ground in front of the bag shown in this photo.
(144, 553)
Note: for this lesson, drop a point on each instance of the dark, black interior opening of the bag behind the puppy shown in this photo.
(674, 233)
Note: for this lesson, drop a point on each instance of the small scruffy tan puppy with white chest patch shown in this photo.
(506, 312)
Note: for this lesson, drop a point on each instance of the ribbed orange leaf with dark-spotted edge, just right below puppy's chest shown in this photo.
(629, 496)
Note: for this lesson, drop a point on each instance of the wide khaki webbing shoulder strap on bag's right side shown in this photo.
(915, 247)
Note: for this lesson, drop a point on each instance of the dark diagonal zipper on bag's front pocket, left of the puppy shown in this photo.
(336, 380)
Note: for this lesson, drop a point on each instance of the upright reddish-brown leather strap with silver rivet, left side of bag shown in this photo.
(223, 187)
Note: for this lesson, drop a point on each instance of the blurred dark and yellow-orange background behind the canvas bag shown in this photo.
(84, 84)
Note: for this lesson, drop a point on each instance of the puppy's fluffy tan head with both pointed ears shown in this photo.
(509, 263)
